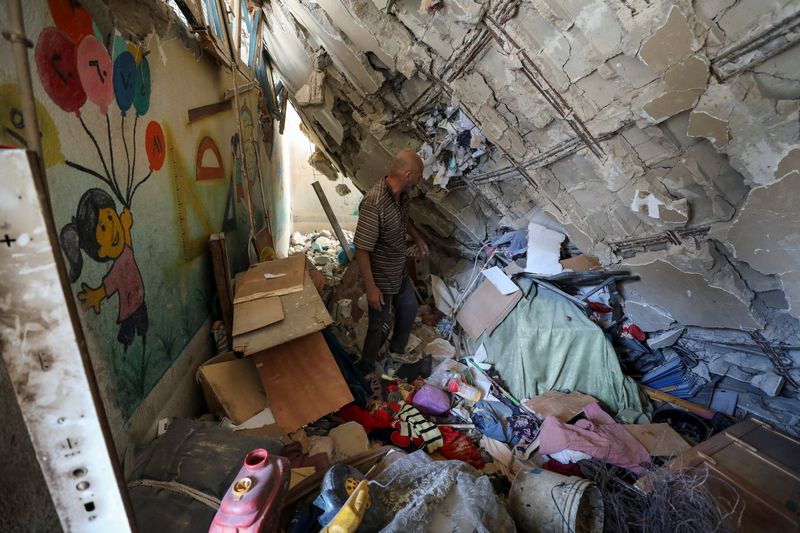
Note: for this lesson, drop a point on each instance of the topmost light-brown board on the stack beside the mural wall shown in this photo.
(252, 285)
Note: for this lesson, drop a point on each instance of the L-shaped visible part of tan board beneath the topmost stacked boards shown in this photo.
(303, 312)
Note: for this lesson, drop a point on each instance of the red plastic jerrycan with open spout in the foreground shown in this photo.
(254, 500)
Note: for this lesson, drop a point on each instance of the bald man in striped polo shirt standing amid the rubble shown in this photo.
(380, 241)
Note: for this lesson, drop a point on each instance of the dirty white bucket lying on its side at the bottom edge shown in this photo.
(546, 502)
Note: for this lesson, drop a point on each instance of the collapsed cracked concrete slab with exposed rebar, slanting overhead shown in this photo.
(656, 132)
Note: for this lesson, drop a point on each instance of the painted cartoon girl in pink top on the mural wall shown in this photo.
(104, 235)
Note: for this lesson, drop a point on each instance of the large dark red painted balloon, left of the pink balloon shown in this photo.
(56, 61)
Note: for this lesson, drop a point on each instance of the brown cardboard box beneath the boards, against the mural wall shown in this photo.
(232, 388)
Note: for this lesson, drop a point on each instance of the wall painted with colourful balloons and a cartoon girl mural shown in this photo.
(136, 186)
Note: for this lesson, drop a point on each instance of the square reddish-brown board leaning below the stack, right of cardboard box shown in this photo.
(302, 380)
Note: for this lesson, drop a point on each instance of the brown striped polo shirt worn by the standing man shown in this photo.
(381, 231)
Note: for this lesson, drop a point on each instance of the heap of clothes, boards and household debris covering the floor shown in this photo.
(527, 402)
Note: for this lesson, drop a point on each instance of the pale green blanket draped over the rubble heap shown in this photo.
(547, 343)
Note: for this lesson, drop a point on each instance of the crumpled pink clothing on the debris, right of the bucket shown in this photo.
(598, 435)
